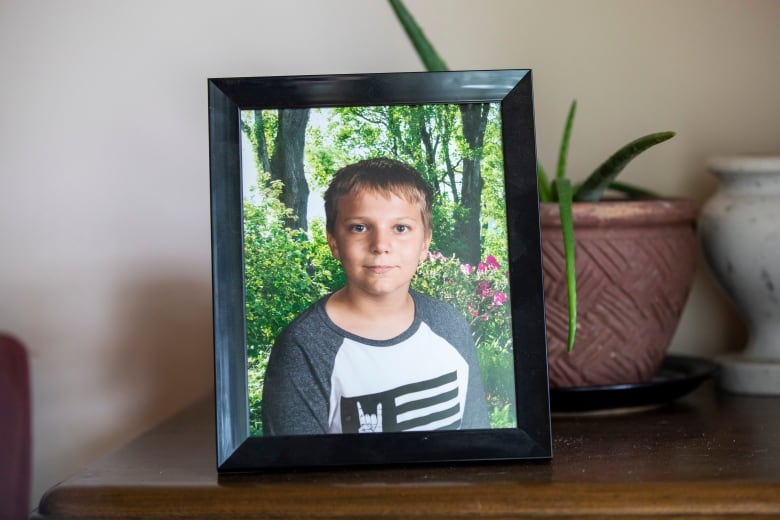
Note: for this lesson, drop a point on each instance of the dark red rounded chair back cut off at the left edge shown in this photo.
(15, 438)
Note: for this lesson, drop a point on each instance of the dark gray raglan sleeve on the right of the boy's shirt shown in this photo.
(446, 321)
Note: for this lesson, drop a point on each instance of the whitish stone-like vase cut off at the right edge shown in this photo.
(739, 229)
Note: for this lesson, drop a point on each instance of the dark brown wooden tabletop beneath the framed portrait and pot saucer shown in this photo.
(706, 455)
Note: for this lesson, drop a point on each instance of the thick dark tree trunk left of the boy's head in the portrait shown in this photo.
(287, 164)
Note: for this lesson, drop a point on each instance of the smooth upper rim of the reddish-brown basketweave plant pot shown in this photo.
(616, 213)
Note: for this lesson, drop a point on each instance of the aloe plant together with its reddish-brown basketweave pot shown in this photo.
(619, 287)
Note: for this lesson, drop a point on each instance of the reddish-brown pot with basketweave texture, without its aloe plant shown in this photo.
(635, 262)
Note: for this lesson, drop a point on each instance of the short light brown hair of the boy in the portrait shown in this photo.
(383, 176)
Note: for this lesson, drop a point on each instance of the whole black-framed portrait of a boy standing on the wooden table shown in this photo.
(377, 274)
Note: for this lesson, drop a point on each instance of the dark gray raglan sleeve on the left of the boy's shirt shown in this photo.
(297, 380)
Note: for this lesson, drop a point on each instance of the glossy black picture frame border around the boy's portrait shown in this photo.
(237, 450)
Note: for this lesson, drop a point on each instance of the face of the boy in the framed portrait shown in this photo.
(380, 240)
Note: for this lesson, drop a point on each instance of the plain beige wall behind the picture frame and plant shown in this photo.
(104, 195)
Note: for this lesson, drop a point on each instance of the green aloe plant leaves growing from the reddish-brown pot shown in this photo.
(560, 189)
